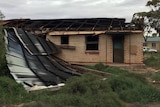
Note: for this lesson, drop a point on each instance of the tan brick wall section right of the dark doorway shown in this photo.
(133, 48)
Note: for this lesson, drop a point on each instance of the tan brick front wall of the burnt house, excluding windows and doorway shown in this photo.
(132, 49)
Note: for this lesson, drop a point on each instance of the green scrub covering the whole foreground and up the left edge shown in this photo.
(89, 89)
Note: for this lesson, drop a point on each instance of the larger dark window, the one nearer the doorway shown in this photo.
(91, 42)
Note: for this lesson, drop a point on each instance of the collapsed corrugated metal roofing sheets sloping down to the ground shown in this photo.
(29, 60)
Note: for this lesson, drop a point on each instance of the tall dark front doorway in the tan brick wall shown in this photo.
(118, 49)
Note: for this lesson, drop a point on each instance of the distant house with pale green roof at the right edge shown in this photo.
(152, 42)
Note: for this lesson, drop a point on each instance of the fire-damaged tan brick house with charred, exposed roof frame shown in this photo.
(90, 40)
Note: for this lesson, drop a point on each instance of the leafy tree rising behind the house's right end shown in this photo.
(151, 18)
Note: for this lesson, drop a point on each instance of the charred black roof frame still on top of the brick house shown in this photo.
(83, 24)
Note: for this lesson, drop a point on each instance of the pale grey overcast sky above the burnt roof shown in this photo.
(58, 9)
